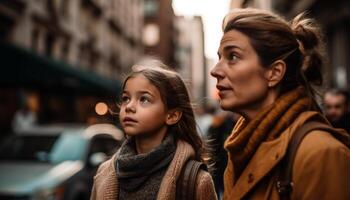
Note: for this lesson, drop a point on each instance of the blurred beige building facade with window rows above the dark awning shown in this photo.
(102, 36)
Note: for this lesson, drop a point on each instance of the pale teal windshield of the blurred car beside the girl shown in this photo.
(69, 147)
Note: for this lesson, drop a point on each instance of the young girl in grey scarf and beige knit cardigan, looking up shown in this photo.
(158, 119)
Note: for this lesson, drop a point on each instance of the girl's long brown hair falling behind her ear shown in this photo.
(174, 94)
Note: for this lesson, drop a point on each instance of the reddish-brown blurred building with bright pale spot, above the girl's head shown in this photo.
(158, 32)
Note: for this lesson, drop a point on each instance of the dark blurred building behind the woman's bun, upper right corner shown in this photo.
(334, 18)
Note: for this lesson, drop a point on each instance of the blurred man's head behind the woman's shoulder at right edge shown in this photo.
(336, 108)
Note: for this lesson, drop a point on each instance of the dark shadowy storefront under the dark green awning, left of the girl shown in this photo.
(58, 92)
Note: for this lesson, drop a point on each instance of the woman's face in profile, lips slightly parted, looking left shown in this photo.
(241, 79)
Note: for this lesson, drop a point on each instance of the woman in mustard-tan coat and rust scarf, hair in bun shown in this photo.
(266, 72)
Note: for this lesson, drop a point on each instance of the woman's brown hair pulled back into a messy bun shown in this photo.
(297, 43)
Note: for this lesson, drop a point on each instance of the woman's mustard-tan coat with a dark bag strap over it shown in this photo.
(321, 168)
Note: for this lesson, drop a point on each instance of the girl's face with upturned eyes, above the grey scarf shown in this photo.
(142, 109)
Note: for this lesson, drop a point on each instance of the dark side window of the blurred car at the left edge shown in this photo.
(27, 147)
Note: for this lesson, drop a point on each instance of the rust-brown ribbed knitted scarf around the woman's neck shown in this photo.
(246, 137)
